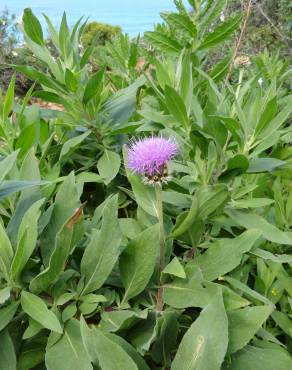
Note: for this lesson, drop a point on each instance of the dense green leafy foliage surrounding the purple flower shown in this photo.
(81, 235)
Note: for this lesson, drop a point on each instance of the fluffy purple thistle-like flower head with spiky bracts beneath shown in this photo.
(149, 157)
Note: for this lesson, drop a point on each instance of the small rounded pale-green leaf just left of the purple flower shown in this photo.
(108, 165)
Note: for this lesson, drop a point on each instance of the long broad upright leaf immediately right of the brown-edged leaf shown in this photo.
(102, 252)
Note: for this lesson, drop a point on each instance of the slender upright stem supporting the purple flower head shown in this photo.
(158, 192)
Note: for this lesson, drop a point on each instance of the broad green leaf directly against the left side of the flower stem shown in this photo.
(138, 261)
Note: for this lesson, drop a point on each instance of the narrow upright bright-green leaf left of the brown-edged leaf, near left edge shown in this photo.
(27, 238)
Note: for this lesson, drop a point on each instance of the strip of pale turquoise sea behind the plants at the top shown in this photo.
(134, 16)
